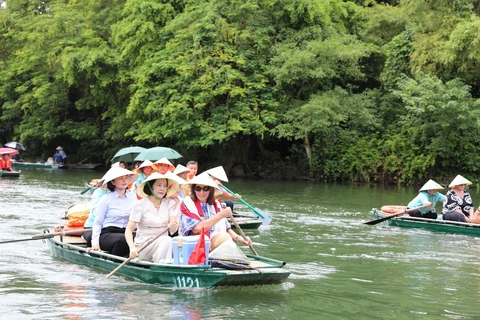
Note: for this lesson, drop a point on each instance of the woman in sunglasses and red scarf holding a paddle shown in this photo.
(199, 210)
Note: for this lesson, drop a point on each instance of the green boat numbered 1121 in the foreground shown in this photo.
(265, 270)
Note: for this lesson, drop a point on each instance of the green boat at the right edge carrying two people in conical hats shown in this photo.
(428, 224)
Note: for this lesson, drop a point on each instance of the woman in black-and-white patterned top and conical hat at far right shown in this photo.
(458, 204)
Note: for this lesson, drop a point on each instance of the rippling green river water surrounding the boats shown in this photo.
(341, 268)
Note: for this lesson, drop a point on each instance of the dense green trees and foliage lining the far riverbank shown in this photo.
(383, 91)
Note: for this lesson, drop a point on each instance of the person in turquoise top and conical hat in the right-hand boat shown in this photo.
(428, 196)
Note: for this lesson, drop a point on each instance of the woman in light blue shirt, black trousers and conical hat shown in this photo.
(113, 212)
